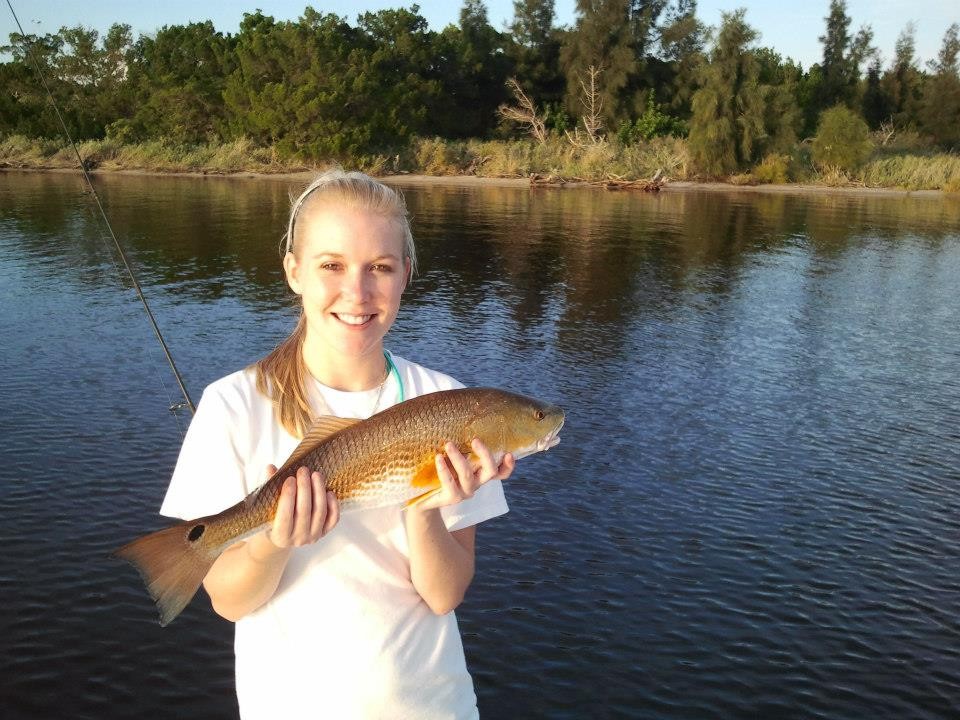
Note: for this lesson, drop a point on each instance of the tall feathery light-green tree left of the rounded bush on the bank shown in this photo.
(728, 119)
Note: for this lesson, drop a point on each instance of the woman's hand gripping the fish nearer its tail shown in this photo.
(306, 510)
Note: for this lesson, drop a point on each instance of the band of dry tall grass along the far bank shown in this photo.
(909, 166)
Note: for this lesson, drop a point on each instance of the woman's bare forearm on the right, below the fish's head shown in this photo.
(441, 562)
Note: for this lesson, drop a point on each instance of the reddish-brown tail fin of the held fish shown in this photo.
(172, 566)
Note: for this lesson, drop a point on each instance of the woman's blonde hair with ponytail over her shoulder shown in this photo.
(281, 375)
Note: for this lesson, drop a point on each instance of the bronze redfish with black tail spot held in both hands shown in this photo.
(385, 460)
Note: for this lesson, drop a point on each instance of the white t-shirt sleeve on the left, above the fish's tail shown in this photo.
(209, 473)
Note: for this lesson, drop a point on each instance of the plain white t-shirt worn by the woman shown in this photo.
(346, 635)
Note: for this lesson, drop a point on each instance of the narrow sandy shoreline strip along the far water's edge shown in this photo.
(516, 182)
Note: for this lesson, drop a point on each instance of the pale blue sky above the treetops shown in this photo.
(792, 30)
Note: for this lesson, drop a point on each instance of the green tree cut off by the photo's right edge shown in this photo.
(940, 105)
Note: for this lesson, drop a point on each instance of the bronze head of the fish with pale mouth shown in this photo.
(516, 424)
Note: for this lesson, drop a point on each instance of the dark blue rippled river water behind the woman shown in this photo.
(754, 512)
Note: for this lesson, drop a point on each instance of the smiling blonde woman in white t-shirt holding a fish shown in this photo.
(338, 616)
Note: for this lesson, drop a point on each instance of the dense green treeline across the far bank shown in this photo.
(320, 88)
